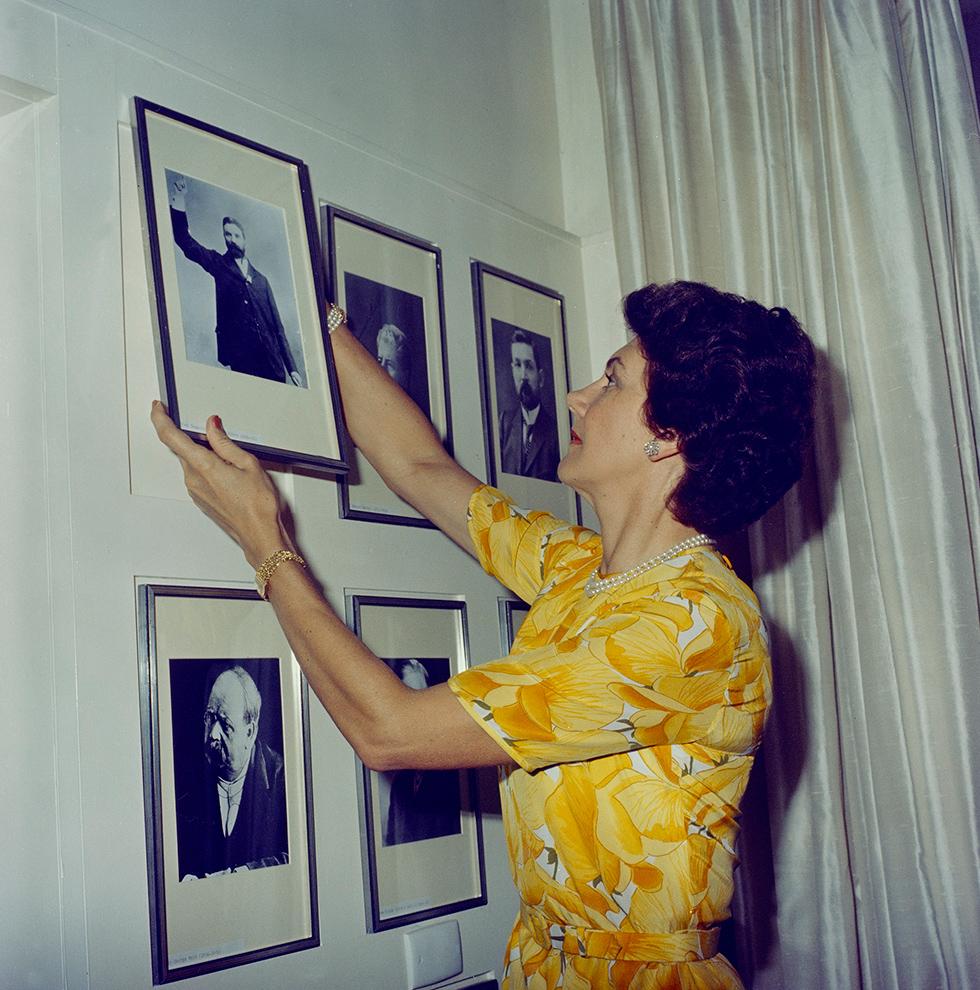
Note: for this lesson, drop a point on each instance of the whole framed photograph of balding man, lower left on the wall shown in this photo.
(226, 780)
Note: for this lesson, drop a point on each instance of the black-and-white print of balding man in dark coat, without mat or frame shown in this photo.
(229, 776)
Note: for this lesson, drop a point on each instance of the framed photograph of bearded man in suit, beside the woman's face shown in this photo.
(521, 348)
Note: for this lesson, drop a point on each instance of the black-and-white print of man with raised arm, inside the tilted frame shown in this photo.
(237, 297)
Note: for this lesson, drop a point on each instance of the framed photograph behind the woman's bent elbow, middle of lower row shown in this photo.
(422, 836)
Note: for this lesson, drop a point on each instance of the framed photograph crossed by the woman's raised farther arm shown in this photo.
(390, 284)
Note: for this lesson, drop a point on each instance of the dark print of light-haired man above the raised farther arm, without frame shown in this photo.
(390, 323)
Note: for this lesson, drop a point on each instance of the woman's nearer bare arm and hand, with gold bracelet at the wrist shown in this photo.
(389, 724)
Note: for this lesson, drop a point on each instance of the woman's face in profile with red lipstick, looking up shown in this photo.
(608, 428)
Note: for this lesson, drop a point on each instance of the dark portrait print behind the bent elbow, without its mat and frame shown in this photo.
(419, 804)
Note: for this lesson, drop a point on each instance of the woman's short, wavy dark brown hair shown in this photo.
(732, 382)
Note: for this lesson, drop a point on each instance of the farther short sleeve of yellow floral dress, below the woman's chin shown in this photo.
(516, 546)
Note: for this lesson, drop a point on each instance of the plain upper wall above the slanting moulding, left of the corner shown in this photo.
(459, 90)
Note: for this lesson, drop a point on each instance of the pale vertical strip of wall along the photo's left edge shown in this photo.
(29, 877)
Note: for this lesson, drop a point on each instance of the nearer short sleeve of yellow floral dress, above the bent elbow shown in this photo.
(656, 675)
